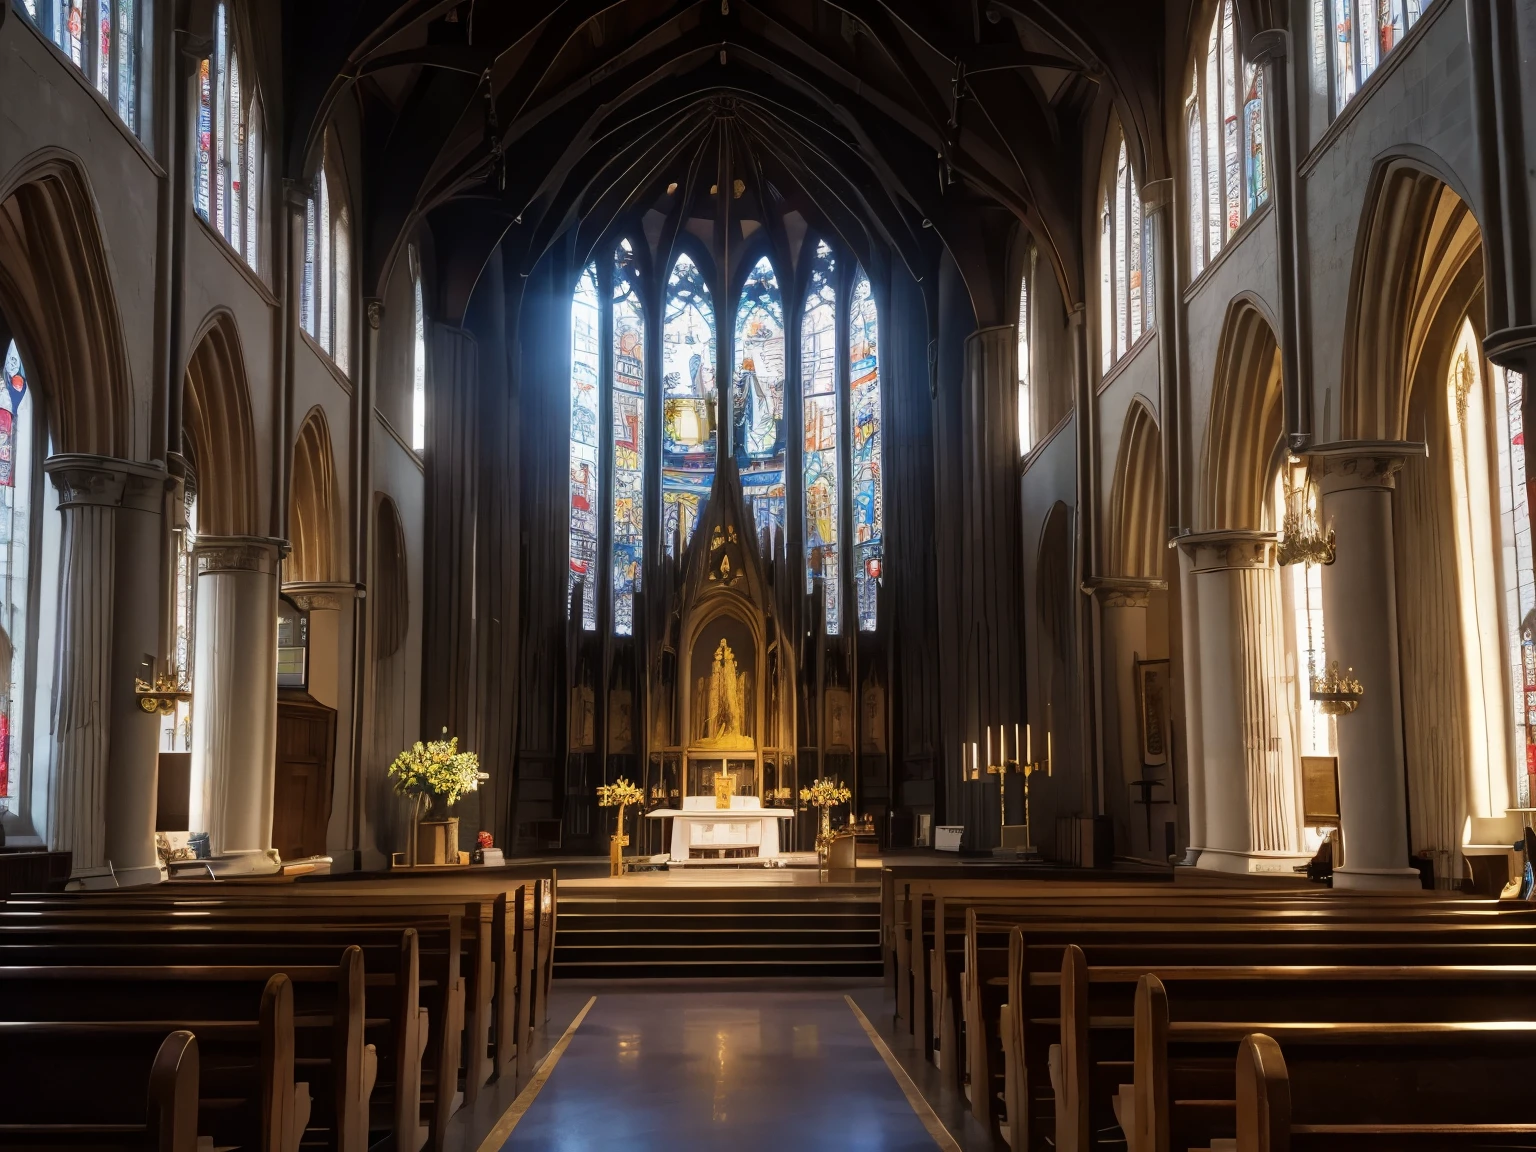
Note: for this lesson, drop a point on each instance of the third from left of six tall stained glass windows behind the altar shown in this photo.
(689, 434)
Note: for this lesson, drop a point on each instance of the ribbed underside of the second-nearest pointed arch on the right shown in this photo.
(1246, 420)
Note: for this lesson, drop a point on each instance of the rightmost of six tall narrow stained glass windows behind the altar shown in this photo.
(864, 354)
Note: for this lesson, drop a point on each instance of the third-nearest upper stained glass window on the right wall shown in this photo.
(1124, 262)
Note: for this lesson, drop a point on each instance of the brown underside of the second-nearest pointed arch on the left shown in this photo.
(219, 426)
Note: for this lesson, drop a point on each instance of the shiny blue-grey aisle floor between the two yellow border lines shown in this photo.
(741, 1071)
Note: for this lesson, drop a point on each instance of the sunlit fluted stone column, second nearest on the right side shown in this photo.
(1253, 815)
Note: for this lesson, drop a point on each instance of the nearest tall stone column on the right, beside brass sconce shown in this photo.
(1360, 614)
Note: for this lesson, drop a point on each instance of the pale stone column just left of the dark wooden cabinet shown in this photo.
(236, 703)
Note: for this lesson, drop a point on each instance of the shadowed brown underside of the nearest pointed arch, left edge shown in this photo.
(56, 290)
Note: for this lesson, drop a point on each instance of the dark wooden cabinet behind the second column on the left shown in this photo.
(306, 764)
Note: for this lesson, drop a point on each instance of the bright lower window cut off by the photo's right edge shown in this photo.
(1520, 575)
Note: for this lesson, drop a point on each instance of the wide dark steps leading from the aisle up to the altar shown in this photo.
(658, 935)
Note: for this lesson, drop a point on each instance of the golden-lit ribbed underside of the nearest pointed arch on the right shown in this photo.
(1417, 263)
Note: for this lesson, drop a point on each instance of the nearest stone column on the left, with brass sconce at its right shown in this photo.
(102, 793)
